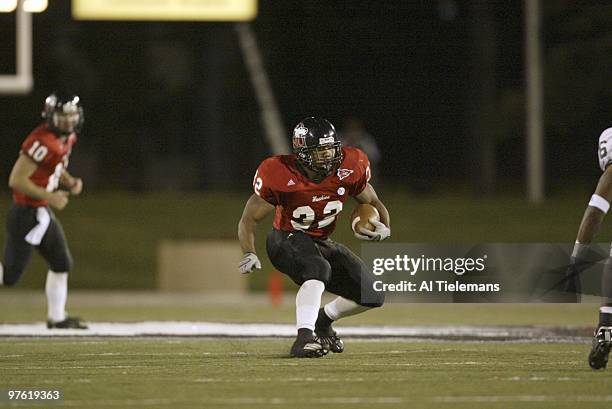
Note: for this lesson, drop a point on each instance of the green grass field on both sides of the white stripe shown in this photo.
(178, 372)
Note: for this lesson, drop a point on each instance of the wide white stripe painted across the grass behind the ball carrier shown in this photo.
(214, 329)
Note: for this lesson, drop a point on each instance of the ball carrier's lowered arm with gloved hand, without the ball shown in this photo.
(255, 210)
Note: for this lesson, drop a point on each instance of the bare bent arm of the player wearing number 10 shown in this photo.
(19, 179)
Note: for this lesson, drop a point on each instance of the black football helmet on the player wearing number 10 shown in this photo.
(63, 113)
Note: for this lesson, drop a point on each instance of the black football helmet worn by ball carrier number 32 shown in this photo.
(316, 145)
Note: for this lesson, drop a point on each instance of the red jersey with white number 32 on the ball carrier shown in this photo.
(304, 205)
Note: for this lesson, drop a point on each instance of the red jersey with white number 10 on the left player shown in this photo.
(51, 154)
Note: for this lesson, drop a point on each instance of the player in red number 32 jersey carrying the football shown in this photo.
(308, 190)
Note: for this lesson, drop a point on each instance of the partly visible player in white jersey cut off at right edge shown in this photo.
(591, 222)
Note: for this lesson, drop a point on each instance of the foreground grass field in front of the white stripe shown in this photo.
(194, 373)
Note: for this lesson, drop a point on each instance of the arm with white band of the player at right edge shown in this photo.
(597, 208)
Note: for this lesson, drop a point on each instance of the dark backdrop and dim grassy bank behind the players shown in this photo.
(173, 124)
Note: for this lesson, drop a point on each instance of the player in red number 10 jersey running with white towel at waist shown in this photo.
(38, 173)
